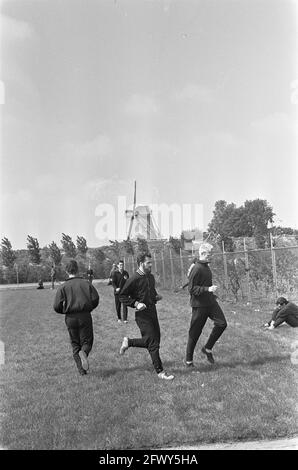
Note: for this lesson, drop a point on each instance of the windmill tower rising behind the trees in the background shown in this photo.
(142, 221)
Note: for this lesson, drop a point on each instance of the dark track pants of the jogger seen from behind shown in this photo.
(80, 329)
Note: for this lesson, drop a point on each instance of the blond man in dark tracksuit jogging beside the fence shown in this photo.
(204, 305)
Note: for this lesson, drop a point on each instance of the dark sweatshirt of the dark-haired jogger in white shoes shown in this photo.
(139, 287)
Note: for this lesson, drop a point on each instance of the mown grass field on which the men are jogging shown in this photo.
(250, 393)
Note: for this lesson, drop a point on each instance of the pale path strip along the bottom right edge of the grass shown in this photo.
(275, 444)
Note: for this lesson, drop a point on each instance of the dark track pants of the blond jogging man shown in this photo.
(198, 320)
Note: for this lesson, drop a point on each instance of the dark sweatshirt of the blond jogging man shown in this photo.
(200, 279)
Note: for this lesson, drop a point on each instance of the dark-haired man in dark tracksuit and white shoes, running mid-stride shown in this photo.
(139, 293)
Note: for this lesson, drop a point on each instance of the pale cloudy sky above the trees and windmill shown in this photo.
(196, 100)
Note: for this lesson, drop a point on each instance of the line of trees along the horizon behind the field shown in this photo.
(253, 219)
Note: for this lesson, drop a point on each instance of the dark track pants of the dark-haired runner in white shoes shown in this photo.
(147, 321)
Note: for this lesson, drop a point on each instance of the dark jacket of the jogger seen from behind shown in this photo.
(76, 295)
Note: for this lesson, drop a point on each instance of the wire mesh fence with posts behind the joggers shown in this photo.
(245, 275)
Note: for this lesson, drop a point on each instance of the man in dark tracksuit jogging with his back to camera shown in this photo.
(76, 298)
